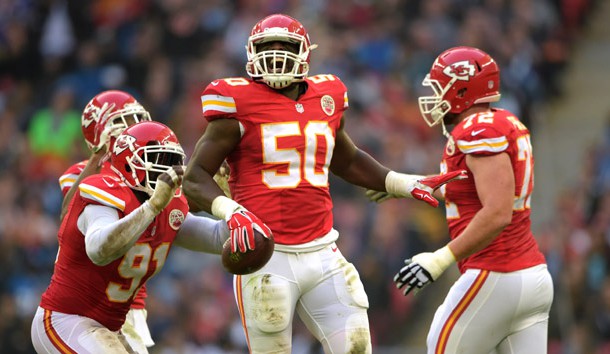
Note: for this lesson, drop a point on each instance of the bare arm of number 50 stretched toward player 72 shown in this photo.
(354, 165)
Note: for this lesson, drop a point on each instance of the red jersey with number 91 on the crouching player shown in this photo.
(105, 293)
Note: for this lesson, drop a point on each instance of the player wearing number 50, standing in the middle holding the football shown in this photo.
(281, 133)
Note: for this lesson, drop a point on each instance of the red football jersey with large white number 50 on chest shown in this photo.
(279, 170)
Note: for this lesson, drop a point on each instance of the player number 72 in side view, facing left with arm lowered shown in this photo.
(502, 299)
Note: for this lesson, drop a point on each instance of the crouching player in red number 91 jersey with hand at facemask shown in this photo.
(117, 234)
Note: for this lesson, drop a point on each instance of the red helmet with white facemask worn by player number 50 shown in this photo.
(278, 68)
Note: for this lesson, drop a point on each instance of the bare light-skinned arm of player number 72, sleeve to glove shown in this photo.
(495, 183)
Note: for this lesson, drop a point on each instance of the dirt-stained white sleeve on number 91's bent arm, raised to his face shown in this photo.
(106, 236)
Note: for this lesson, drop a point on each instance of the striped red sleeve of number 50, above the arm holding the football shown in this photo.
(217, 101)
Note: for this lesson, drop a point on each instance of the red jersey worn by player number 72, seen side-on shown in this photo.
(486, 134)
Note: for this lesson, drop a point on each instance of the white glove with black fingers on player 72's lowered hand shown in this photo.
(423, 269)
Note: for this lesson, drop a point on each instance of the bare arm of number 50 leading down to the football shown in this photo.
(220, 138)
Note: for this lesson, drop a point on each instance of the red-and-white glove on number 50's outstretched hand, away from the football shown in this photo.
(419, 187)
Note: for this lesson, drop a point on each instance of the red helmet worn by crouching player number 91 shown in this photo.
(142, 152)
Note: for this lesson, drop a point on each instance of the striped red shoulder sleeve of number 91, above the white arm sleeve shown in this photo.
(105, 190)
